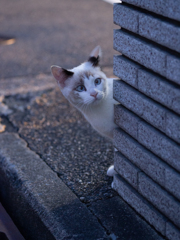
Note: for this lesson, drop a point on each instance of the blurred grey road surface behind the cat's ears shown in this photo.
(47, 32)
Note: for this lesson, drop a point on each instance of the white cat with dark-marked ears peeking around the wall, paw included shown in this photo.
(88, 89)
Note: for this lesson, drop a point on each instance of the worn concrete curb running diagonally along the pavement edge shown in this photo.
(42, 206)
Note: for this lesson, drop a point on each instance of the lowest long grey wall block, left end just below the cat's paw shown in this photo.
(136, 201)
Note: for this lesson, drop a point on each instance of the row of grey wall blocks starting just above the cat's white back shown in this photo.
(152, 85)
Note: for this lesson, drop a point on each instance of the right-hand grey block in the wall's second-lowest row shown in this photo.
(163, 201)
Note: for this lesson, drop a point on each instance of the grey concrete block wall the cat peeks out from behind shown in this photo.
(148, 117)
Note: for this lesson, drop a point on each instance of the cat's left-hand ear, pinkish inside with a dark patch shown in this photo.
(61, 75)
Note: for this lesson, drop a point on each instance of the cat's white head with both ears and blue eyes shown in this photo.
(85, 85)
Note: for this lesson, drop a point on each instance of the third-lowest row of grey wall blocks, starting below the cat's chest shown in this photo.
(146, 161)
